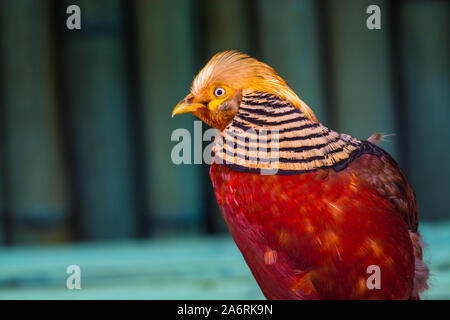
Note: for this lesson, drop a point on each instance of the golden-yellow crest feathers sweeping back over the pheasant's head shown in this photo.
(240, 71)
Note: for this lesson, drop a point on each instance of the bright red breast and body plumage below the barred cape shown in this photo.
(313, 235)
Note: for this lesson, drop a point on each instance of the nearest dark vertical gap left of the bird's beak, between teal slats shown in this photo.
(137, 141)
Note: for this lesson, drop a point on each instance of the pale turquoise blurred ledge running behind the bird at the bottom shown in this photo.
(175, 268)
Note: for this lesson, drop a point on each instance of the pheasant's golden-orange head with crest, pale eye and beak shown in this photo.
(217, 90)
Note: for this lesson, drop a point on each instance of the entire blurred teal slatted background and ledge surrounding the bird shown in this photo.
(85, 132)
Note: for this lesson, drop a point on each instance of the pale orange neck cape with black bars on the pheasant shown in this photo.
(269, 135)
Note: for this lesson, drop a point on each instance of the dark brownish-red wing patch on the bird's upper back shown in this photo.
(385, 175)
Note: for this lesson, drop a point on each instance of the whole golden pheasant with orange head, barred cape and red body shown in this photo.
(313, 211)
